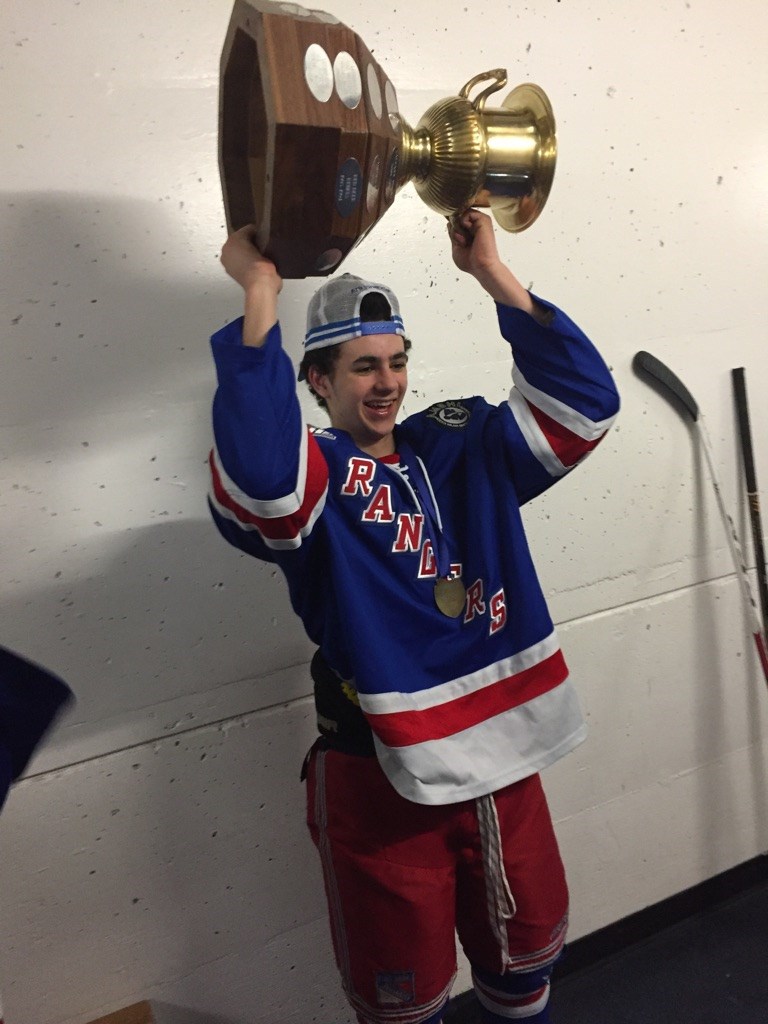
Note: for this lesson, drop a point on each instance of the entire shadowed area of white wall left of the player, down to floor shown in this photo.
(190, 851)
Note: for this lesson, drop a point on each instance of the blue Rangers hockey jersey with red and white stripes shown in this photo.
(458, 707)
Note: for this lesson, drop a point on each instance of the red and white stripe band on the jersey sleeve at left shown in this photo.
(282, 523)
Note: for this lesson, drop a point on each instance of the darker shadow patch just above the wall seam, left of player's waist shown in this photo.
(159, 630)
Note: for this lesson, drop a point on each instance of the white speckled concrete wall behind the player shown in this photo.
(157, 848)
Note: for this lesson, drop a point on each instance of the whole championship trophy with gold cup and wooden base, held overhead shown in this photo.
(313, 148)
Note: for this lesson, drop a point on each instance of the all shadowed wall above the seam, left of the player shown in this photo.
(116, 578)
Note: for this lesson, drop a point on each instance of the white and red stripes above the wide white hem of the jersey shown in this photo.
(405, 719)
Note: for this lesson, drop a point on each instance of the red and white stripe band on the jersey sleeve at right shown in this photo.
(558, 435)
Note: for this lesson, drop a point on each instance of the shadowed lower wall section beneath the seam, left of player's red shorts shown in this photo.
(192, 855)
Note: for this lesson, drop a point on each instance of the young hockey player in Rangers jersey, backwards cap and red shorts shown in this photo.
(441, 688)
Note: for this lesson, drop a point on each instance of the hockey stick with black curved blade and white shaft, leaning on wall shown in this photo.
(656, 369)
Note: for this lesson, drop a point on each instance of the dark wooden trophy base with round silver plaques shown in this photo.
(310, 136)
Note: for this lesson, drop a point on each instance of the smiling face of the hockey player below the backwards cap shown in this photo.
(365, 391)
